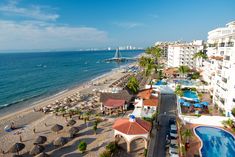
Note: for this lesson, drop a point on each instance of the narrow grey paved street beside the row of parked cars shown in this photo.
(167, 109)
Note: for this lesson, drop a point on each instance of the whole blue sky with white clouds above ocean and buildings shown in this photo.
(80, 24)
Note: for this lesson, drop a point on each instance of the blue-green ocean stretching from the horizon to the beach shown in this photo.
(29, 77)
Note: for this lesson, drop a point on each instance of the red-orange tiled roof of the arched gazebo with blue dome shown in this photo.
(139, 126)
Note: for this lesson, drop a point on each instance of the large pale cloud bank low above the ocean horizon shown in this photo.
(28, 35)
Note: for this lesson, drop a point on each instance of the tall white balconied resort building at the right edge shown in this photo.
(219, 69)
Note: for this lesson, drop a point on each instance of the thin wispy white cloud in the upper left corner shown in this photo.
(35, 11)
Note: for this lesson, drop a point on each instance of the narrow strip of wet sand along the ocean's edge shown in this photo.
(60, 95)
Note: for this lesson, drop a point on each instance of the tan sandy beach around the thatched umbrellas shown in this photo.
(28, 119)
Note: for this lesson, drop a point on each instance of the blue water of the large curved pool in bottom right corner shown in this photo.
(216, 142)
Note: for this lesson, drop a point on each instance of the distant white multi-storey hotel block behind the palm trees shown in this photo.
(182, 54)
